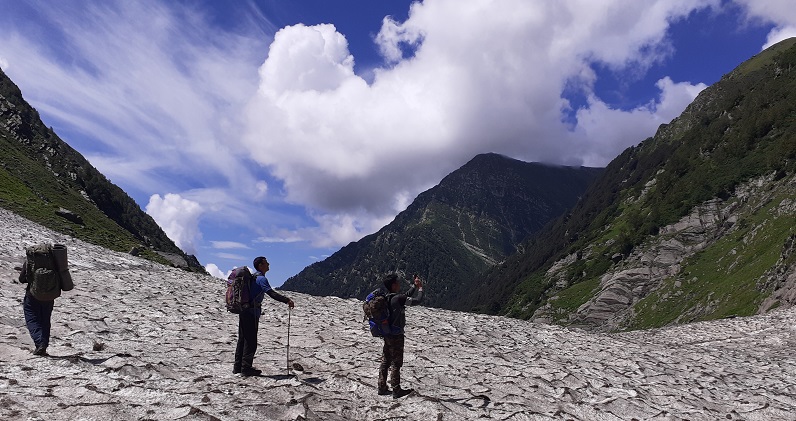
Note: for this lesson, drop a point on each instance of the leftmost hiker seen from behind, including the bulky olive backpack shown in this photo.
(46, 273)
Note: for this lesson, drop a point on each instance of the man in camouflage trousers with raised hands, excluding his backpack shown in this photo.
(392, 357)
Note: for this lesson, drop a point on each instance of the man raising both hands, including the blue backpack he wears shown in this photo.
(391, 329)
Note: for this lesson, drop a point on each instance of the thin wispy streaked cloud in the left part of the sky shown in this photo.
(152, 88)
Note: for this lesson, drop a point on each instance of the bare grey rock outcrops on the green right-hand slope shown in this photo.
(649, 265)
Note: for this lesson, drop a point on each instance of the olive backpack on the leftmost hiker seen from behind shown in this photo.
(41, 272)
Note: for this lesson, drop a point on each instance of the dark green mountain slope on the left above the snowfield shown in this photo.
(45, 180)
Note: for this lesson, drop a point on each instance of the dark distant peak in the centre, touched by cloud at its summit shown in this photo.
(472, 220)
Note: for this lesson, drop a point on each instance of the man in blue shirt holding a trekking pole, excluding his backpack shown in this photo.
(249, 320)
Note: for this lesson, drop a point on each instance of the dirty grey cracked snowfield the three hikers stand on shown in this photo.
(136, 340)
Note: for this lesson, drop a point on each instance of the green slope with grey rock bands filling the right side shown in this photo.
(686, 226)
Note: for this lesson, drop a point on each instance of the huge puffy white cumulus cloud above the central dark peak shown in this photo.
(460, 78)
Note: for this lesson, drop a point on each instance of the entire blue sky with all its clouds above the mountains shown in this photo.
(291, 128)
